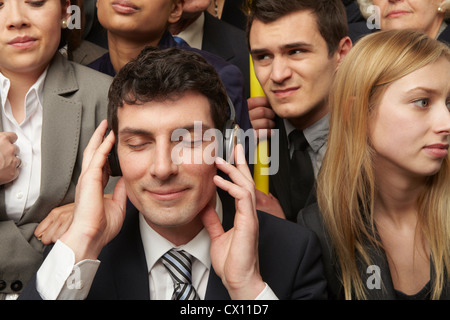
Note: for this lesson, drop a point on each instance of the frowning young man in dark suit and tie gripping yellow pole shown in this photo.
(296, 46)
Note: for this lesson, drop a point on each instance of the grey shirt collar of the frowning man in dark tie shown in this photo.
(316, 134)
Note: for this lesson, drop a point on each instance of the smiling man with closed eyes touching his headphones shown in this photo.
(156, 104)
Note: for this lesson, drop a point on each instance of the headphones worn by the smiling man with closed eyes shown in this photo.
(230, 133)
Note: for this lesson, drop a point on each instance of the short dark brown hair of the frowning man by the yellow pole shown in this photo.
(330, 15)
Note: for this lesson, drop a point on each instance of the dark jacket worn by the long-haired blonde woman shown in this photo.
(311, 218)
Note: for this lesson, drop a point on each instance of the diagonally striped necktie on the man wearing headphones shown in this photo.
(179, 265)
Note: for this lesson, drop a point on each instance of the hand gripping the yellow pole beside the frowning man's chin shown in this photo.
(261, 116)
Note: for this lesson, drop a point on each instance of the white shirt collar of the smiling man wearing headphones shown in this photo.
(155, 245)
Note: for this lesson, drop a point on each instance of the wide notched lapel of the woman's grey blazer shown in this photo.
(60, 137)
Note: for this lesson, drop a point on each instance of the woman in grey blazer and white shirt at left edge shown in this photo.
(49, 109)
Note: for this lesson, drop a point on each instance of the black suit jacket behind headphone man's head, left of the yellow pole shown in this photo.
(230, 43)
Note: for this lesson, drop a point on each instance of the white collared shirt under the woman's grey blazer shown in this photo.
(22, 193)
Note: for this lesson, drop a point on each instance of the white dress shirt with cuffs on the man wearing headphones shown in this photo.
(59, 278)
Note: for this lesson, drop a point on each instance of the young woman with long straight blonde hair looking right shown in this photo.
(383, 191)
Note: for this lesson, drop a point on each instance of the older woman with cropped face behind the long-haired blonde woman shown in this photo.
(429, 16)
